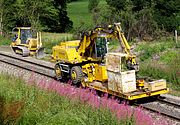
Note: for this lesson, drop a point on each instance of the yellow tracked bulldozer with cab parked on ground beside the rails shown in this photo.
(26, 42)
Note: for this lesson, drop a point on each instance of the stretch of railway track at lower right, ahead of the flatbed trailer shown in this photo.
(163, 106)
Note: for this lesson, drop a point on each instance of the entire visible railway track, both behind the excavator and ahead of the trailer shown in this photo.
(164, 106)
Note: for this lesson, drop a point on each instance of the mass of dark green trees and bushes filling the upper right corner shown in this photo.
(144, 18)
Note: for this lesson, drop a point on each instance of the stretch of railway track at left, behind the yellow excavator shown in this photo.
(28, 63)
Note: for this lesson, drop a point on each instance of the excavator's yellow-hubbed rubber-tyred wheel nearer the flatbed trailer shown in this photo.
(76, 74)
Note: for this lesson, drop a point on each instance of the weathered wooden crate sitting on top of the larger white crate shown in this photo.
(115, 62)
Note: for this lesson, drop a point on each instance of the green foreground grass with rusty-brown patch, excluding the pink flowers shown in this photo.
(27, 105)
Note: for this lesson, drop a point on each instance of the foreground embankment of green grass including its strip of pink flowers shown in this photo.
(53, 103)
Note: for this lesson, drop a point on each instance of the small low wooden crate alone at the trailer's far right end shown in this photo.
(157, 85)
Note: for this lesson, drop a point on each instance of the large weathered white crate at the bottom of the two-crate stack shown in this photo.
(123, 82)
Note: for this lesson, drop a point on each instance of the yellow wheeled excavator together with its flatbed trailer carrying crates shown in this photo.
(88, 62)
